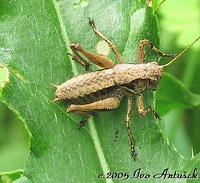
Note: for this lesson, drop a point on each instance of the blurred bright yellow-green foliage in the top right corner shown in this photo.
(181, 32)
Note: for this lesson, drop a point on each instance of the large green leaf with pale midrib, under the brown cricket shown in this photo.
(34, 42)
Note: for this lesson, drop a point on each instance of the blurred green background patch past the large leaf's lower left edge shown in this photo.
(14, 146)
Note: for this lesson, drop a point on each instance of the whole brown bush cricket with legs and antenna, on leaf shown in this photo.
(103, 90)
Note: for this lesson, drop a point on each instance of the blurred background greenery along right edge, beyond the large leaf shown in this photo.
(177, 30)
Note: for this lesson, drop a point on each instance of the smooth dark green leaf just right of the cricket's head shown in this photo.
(173, 94)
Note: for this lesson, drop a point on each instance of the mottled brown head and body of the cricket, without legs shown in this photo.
(99, 85)
